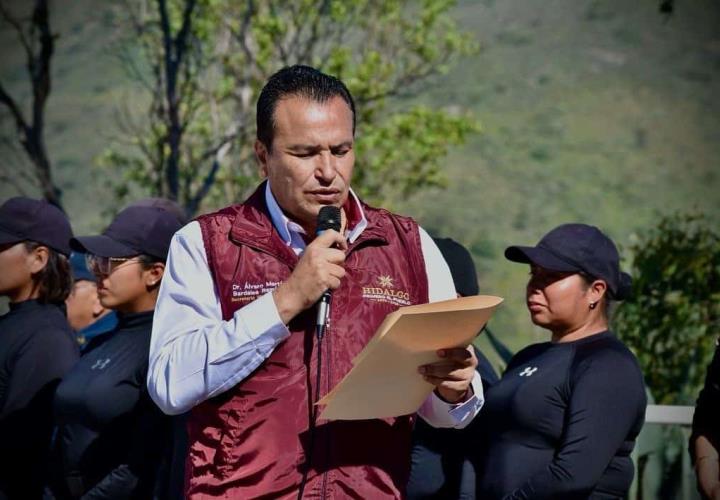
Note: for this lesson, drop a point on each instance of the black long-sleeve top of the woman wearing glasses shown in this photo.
(111, 436)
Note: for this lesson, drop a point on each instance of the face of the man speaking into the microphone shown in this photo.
(311, 159)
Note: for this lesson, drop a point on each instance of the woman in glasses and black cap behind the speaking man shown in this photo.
(111, 436)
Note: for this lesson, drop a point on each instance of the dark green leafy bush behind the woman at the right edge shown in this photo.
(673, 318)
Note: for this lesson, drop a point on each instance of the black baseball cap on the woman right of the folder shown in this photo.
(577, 248)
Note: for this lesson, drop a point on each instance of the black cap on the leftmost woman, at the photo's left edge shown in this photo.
(26, 219)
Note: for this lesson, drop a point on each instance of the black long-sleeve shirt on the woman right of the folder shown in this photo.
(562, 421)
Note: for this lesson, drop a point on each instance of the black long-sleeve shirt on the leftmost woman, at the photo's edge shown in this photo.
(37, 347)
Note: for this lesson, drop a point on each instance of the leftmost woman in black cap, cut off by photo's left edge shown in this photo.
(37, 346)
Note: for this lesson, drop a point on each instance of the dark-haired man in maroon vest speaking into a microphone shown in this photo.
(235, 340)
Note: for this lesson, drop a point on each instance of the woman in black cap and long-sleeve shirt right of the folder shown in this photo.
(563, 419)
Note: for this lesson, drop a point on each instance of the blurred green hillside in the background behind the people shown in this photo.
(595, 111)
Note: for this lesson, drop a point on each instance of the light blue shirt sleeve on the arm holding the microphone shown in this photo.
(194, 353)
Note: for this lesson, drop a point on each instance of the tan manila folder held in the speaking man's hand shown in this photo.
(384, 381)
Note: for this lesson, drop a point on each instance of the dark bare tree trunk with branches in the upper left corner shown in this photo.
(38, 42)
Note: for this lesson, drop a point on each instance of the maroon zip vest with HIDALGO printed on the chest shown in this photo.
(254, 439)
